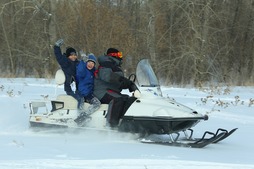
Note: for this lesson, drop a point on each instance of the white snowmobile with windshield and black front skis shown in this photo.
(156, 118)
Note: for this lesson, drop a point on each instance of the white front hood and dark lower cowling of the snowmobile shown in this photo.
(159, 115)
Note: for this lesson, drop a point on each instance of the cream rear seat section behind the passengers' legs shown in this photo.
(65, 102)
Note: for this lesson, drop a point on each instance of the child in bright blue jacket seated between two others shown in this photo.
(85, 80)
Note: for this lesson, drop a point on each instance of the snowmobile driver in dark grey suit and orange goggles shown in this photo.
(109, 82)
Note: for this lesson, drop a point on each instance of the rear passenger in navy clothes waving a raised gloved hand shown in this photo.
(68, 62)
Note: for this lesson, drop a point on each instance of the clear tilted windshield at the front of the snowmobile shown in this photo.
(145, 74)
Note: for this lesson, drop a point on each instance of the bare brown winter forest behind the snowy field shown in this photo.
(188, 42)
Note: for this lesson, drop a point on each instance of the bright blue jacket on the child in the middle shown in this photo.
(85, 79)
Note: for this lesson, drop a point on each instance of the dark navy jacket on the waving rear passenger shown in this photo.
(68, 67)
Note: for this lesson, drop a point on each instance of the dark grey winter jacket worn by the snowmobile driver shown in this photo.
(109, 77)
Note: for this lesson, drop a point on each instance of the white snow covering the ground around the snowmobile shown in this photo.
(22, 147)
